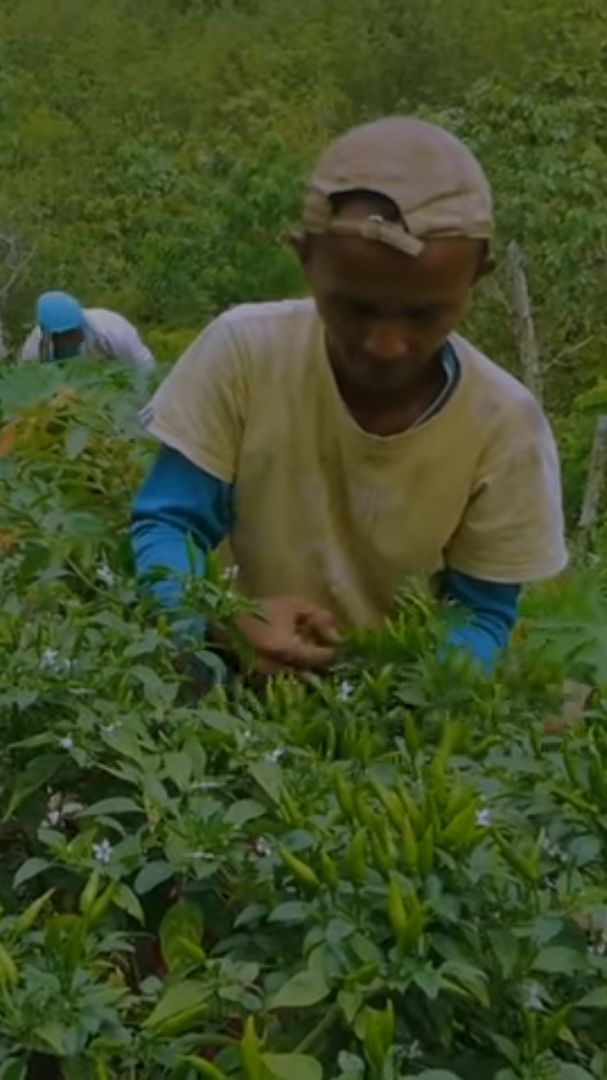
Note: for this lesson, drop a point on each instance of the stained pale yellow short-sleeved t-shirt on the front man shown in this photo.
(332, 514)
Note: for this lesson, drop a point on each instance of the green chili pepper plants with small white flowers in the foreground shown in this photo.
(393, 872)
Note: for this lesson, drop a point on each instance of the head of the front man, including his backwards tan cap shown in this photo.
(397, 224)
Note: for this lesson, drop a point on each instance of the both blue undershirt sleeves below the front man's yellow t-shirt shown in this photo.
(181, 501)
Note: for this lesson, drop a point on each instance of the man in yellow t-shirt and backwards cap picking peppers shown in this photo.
(349, 442)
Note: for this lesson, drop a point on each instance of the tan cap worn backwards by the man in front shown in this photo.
(434, 180)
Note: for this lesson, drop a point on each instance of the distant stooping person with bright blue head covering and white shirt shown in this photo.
(65, 331)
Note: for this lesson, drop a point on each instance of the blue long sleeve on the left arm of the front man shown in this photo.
(178, 502)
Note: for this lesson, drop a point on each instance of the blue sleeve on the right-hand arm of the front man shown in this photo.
(491, 610)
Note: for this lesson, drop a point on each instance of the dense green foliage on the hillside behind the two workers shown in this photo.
(153, 154)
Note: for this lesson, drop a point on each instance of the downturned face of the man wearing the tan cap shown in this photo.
(388, 314)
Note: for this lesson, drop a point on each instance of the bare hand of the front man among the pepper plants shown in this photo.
(290, 634)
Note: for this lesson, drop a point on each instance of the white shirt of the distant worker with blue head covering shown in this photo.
(106, 335)
